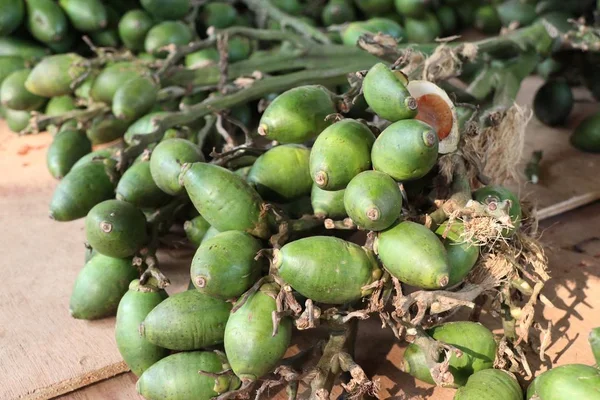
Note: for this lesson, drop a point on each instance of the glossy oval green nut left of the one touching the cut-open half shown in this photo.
(297, 115)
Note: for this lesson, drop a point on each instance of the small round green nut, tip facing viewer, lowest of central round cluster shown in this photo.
(373, 200)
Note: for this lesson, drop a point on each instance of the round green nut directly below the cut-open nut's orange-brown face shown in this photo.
(406, 150)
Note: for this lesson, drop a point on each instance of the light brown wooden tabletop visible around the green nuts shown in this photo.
(45, 353)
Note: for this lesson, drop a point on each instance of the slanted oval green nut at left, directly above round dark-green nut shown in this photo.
(81, 189)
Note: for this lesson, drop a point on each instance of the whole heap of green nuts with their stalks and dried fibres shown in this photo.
(325, 162)
